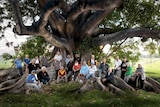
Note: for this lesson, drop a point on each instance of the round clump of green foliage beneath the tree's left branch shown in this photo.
(33, 47)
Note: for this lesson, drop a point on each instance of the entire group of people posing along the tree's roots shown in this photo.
(75, 71)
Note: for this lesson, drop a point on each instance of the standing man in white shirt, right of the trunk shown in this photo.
(118, 63)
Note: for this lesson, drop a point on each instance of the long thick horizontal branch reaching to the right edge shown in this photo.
(129, 33)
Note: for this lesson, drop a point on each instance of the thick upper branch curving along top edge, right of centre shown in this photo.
(85, 5)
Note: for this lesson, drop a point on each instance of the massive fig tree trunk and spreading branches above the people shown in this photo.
(76, 26)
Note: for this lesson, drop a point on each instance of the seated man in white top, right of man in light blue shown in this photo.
(92, 70)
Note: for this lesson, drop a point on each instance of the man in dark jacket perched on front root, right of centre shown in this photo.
(109, 77)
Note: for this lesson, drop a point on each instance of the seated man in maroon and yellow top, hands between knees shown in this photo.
(62, 75)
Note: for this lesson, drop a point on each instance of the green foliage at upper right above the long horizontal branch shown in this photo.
(134, 13)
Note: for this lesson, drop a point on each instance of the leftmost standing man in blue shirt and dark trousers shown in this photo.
(18, 63)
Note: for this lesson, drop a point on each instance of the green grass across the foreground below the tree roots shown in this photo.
(60, 97)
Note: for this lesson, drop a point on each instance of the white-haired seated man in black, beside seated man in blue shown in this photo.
(43, 75)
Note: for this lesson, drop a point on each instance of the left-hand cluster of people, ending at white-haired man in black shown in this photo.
(35, 79)
